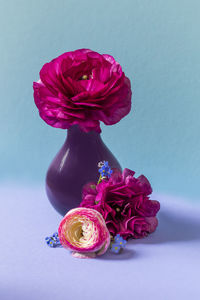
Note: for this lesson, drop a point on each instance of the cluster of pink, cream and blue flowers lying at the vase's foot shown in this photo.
(112, 211)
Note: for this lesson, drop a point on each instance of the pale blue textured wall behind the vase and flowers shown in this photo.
(158, 45)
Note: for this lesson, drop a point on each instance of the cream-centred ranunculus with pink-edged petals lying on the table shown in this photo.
(83, 230)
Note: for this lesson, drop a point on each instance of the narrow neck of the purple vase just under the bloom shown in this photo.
(75, 132)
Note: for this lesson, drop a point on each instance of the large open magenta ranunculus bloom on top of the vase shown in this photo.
(82, 87)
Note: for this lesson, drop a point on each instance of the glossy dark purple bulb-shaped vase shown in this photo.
(76, 164)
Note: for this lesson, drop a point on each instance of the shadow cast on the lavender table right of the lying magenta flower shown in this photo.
(173, 228)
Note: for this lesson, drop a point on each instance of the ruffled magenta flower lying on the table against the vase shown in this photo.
(123, 201)
